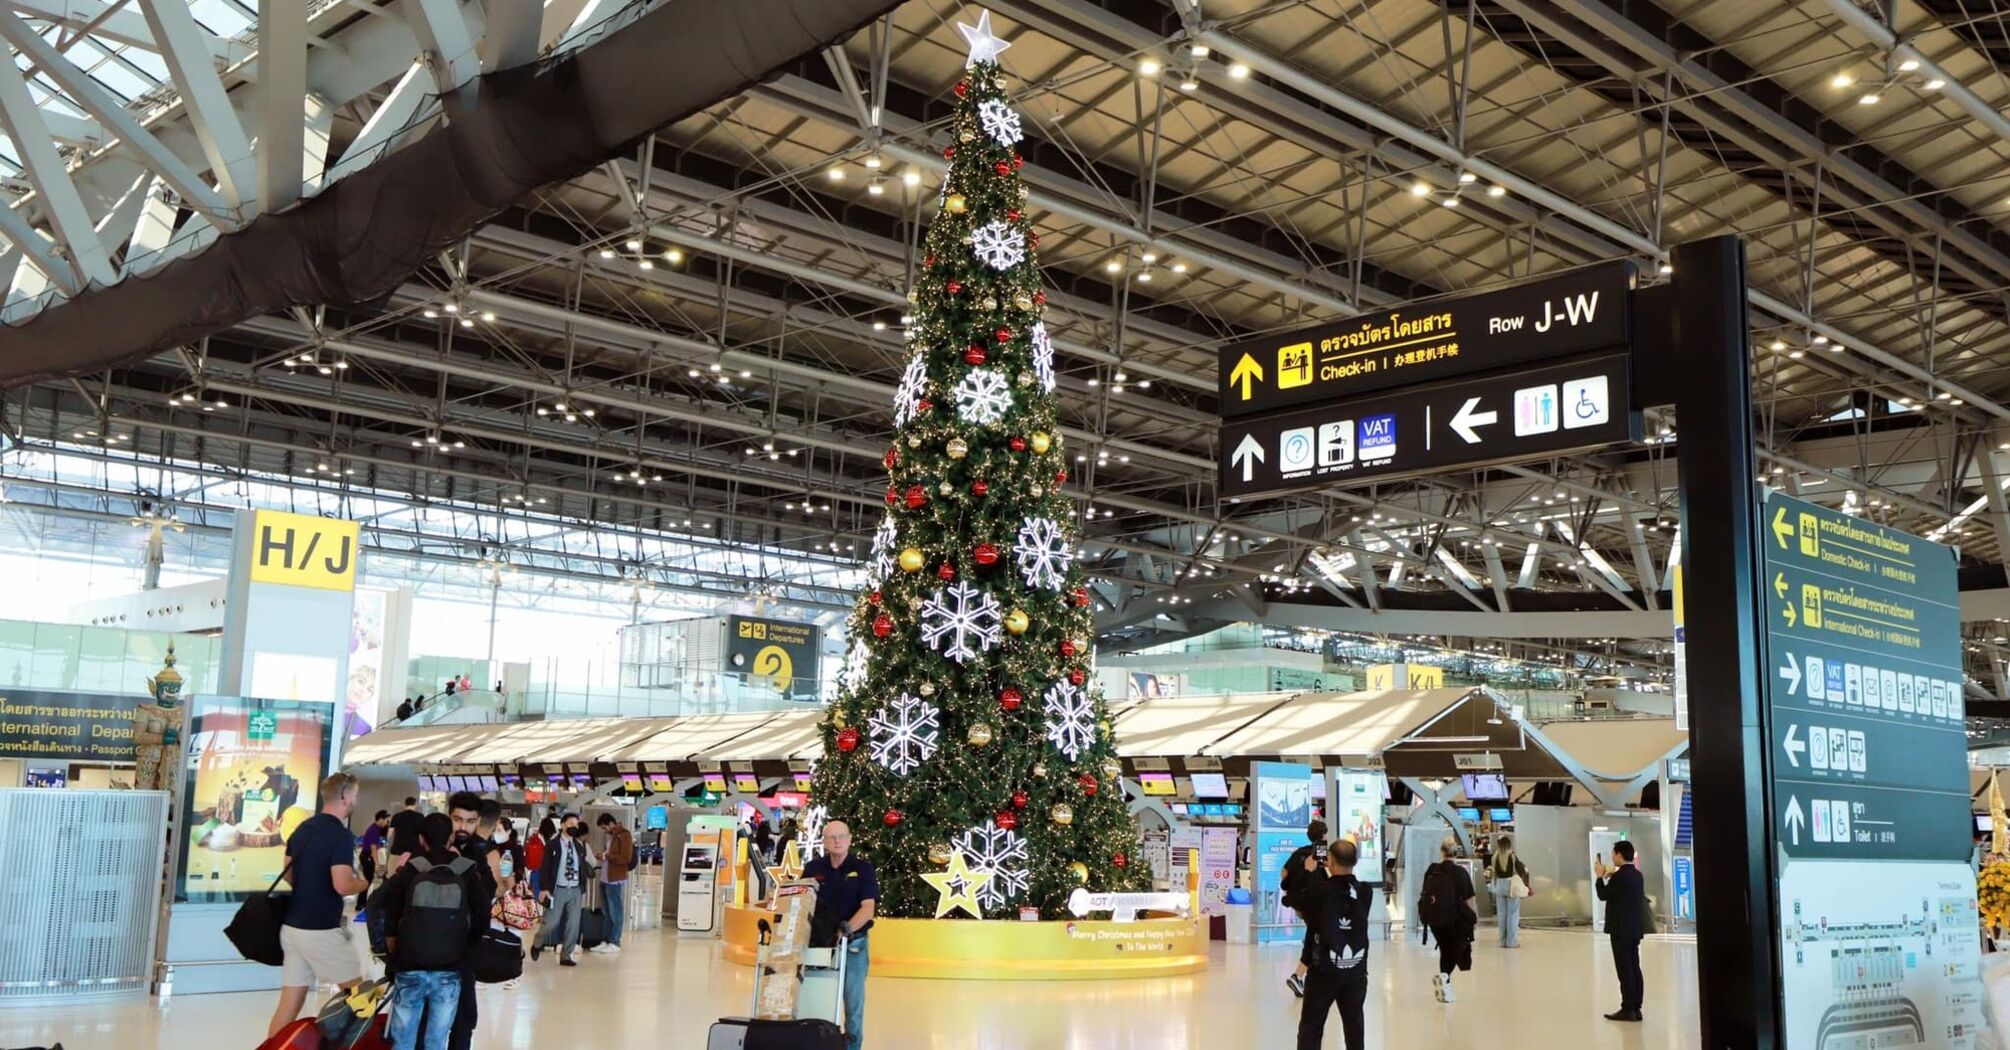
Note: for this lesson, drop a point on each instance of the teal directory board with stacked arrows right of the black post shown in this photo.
(1870, 757)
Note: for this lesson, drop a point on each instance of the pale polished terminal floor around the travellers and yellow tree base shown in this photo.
(666, 993)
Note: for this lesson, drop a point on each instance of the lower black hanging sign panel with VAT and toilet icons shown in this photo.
(1496, 419)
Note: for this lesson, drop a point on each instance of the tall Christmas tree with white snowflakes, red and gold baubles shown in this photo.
(968, 723)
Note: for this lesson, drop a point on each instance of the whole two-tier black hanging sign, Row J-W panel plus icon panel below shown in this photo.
(1464, 383)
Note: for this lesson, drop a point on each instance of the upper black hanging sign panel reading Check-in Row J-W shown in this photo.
(1575, 313)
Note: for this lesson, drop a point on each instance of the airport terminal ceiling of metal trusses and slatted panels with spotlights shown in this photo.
(698, 343)
